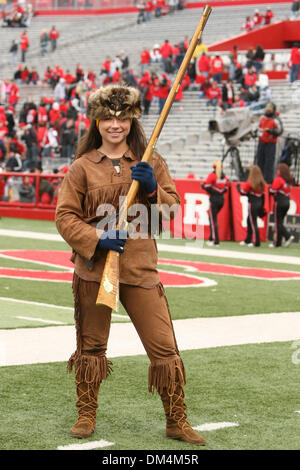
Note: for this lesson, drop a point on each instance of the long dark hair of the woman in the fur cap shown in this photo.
(92, 139)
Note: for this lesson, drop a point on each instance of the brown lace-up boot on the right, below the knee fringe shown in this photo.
(177, 425)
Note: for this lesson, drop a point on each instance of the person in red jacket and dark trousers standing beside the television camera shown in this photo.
(270, 127)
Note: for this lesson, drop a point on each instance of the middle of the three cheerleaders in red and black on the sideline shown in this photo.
(254, 189)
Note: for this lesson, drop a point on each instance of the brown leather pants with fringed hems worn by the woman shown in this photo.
(149, 312)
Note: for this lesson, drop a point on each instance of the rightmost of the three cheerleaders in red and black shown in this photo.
(280, 190)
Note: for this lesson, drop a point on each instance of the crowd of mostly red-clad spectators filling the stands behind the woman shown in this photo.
(36, 131)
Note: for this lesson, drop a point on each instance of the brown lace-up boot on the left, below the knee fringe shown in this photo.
(87, 408)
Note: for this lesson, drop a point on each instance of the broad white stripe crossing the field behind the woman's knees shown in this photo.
(57, 343)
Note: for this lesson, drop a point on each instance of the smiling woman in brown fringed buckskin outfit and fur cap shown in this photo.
(107, 160)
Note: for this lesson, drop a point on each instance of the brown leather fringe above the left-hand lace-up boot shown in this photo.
(89, 369)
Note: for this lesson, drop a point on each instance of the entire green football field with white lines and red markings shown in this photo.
(241, 394)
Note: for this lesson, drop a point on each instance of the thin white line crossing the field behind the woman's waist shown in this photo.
(186, 249)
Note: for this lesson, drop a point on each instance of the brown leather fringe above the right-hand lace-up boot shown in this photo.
(165, 374)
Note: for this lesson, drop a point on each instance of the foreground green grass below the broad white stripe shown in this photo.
(252, 385)
